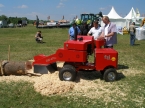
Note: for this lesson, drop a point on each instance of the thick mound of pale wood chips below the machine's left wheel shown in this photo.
(50, 84)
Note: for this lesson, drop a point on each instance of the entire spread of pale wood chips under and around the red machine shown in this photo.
(87, 84)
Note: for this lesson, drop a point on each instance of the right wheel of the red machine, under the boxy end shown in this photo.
(110, 75)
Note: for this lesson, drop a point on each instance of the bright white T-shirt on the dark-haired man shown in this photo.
(96, 32)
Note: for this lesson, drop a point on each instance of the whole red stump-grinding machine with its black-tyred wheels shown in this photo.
(75, 57)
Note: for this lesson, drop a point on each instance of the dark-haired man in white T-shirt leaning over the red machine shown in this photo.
(95, 31)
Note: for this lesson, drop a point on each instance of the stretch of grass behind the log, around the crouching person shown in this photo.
(23, 45)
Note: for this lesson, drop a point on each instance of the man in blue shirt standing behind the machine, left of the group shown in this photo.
(73, 31)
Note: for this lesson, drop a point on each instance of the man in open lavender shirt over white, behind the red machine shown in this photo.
(109, 33)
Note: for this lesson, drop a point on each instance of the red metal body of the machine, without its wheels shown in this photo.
(75, 52)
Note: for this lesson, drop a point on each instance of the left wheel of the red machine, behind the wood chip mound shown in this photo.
(67, 74)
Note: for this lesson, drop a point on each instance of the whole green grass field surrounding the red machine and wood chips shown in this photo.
(127, 92)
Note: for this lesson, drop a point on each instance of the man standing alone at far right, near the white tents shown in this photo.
(132, 33)
